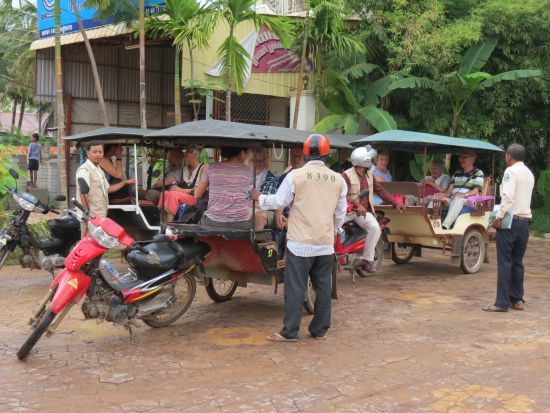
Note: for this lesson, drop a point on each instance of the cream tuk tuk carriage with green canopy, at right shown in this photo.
(420, 226)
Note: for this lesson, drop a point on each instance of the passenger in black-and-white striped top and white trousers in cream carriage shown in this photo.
(466, 182)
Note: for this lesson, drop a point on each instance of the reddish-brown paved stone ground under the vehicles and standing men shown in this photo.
(410, 339)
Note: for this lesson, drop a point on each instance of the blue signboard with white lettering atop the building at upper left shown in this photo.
(69, 24)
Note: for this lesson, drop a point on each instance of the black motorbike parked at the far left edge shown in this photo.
(45, 252)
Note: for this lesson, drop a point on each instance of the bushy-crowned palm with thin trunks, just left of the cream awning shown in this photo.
(189, 24)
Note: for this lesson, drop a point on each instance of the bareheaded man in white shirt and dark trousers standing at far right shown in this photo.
(516, 190)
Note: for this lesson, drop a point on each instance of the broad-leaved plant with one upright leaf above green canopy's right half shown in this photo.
(459, 86)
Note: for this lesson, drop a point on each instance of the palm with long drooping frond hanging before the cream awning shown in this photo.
(232, 55)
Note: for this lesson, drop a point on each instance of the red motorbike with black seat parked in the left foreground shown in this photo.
(158, 287)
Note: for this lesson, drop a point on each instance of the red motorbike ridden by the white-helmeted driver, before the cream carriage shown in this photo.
(350, 246)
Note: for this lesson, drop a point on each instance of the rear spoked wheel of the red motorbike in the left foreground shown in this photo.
(183, 292)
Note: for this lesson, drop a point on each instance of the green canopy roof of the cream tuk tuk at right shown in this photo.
(417, 141)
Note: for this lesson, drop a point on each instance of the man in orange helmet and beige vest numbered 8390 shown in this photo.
(317, 199)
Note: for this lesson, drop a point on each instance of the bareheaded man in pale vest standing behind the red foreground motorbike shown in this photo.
(97, 200)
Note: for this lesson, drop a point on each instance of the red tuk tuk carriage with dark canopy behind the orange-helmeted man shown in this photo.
(237, 256)
